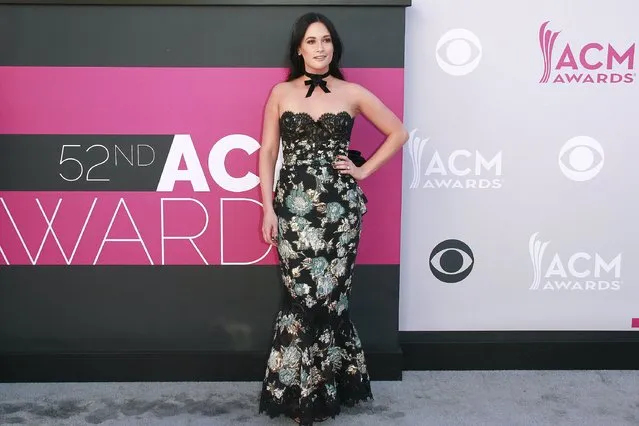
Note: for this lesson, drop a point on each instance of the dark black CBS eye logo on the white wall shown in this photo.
(451, 261)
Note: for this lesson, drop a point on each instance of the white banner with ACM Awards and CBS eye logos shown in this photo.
(519, 199)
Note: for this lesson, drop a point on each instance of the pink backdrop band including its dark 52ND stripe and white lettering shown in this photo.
(150, 166)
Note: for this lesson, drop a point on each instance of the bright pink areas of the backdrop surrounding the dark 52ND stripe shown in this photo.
(181, 226)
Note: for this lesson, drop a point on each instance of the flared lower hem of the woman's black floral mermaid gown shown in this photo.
(316, 365)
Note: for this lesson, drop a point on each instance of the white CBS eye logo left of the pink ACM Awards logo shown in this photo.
(458, 52)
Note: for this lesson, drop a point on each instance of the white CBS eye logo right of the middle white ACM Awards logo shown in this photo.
(581, 158)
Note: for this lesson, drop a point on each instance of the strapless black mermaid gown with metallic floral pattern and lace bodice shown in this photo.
(316, 362)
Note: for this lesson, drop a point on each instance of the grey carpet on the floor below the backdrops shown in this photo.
(422, 398)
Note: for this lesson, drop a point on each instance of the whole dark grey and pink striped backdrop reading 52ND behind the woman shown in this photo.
(130, 210)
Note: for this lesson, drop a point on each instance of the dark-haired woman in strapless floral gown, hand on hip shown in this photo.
(316, 361)
